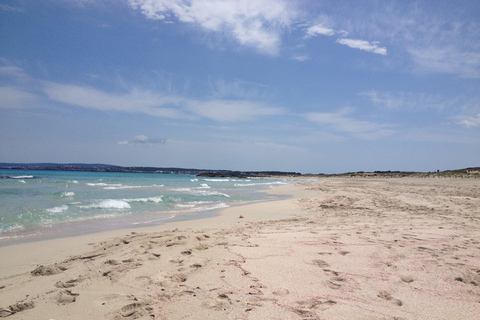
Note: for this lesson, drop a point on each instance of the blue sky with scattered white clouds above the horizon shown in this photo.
(306, 86)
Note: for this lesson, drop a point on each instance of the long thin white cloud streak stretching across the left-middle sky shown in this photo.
(159, 105)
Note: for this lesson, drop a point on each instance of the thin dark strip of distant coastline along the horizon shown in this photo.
(471, 172)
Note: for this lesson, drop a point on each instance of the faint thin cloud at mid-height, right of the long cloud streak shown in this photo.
(341, 123)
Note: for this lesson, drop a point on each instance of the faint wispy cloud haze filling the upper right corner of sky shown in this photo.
(444, 39)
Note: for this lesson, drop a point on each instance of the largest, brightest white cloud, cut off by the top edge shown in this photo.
(253, 23)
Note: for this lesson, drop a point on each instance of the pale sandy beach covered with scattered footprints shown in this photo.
(405, 248)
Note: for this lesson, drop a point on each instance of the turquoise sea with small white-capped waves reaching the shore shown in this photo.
(37, 205)
